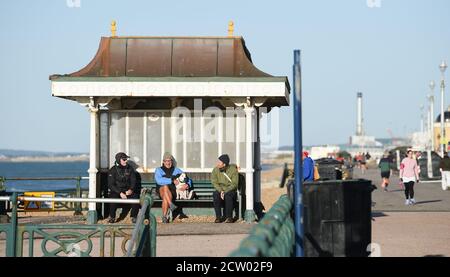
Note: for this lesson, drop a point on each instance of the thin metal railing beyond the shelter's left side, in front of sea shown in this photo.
(78, 192)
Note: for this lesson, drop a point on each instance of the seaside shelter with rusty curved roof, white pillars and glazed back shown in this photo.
(195, 97)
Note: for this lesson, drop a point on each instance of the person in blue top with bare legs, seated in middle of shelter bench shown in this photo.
(166, 180)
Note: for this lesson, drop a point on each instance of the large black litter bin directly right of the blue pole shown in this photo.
(337, 218)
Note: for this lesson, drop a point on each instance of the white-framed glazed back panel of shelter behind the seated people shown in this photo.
(204, 163)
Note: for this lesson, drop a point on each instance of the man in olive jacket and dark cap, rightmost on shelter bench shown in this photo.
(225, 180)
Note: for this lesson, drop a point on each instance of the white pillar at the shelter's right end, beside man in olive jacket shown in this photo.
(249, 114)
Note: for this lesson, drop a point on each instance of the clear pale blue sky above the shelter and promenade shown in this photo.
(389, 53)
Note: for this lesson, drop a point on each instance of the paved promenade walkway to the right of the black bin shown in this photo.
(410, 231)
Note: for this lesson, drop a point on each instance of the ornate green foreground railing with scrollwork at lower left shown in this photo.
(81, 240)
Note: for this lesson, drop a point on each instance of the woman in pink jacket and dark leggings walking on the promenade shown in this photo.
(409, 174)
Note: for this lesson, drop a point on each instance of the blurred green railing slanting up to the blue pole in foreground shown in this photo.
(273, 236)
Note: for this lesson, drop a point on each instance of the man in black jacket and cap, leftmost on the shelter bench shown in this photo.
(122, 184)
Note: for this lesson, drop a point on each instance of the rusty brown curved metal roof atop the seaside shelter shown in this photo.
(170, 57)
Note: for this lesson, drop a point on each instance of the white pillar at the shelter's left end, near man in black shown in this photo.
(93, 110)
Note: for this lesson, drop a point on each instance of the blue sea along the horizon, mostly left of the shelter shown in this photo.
(49, 169)
